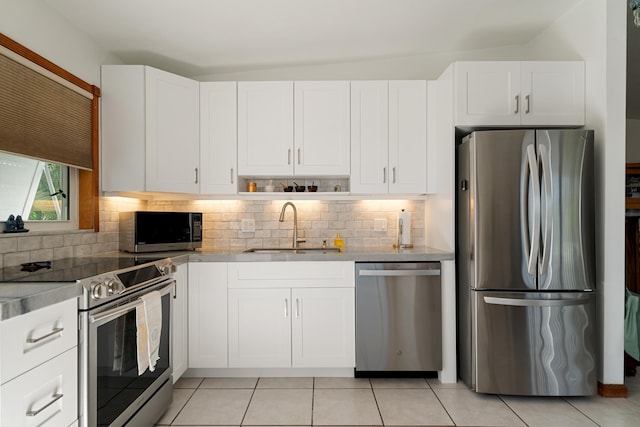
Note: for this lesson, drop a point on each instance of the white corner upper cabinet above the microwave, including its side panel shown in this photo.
(150, 132)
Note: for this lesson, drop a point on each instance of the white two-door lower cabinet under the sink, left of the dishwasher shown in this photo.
(291, 314)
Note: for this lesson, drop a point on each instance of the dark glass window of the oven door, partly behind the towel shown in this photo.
(118, 383)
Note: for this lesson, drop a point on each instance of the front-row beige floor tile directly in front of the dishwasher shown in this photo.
(411, 407)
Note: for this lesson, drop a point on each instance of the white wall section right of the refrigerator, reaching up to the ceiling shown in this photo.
(596, 31)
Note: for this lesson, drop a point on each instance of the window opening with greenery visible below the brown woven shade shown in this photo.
(38, 191)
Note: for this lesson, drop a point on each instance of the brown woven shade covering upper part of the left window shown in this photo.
(43, 119)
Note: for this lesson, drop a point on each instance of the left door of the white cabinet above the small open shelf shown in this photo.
(265, 128)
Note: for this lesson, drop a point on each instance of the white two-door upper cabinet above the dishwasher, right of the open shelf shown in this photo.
(389, 136)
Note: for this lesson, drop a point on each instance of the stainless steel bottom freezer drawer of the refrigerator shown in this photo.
(535, 343)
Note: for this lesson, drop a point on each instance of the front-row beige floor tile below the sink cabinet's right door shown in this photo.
(345, 407)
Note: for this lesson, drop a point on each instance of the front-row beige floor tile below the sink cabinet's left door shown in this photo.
(280, 407)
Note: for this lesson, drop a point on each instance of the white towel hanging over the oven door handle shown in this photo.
(149, 330)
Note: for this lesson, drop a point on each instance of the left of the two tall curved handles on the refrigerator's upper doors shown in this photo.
(533, 240)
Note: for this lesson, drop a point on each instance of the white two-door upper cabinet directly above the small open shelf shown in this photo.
(287, 128)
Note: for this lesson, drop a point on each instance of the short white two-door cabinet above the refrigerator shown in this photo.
(511, 93)
